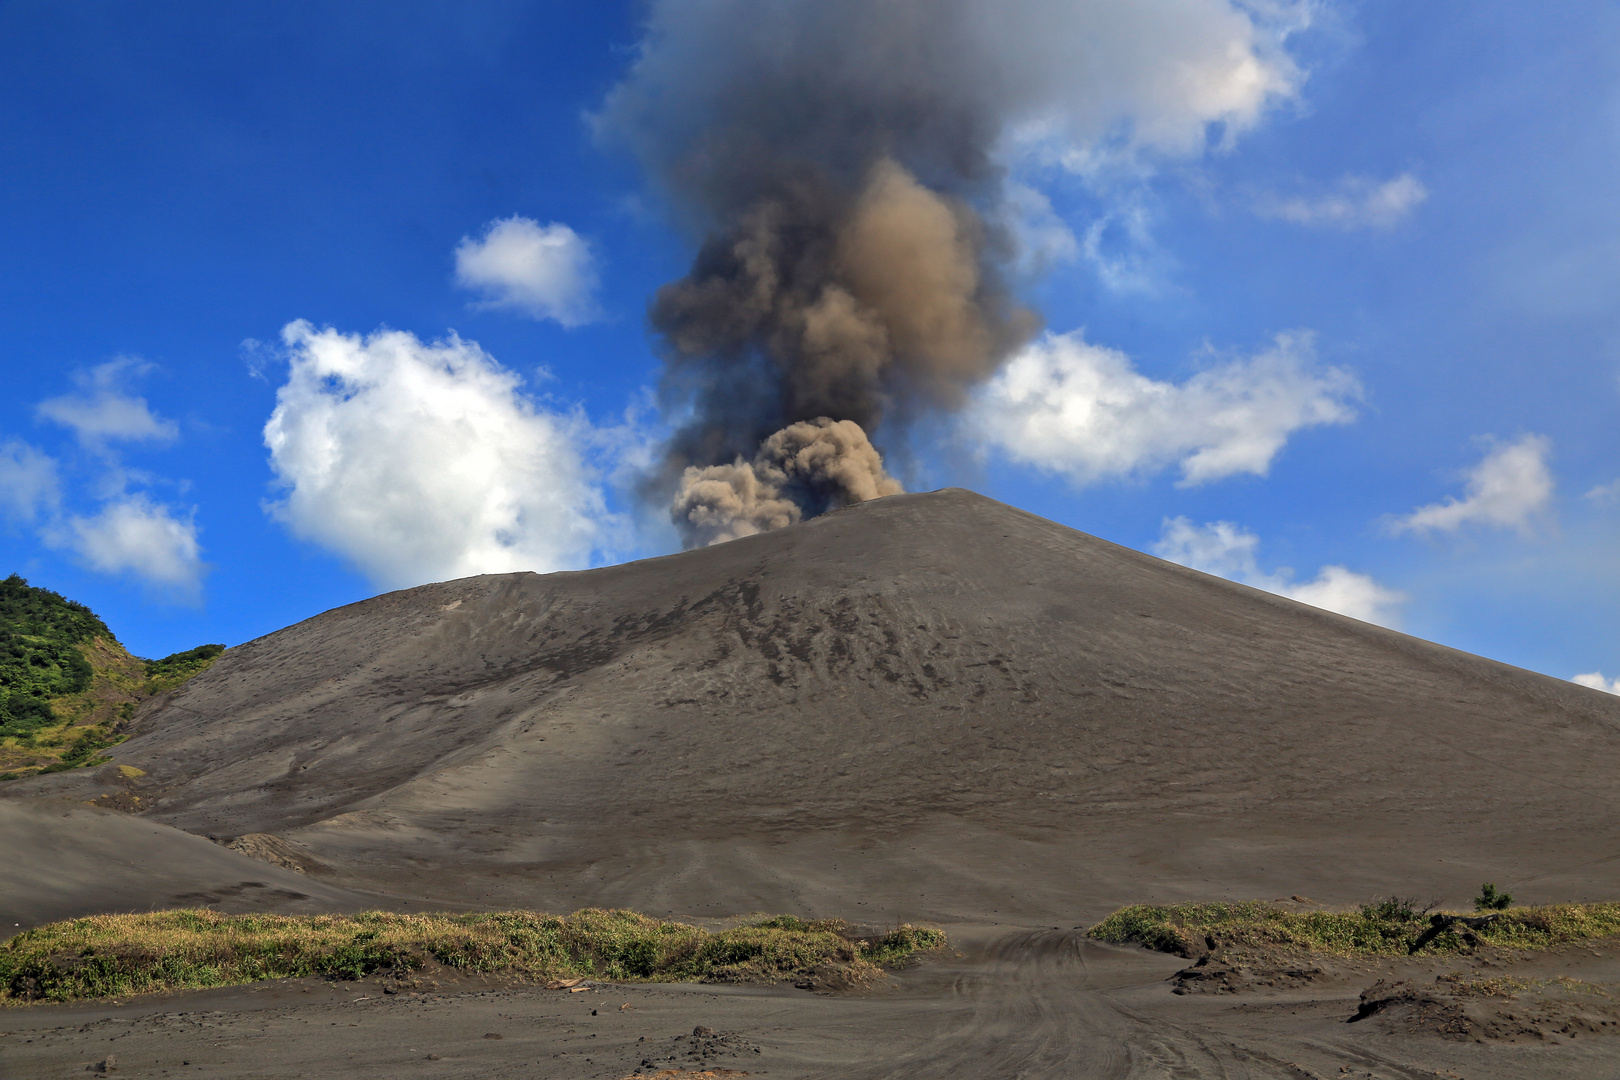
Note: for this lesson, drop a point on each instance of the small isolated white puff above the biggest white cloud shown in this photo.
(544, 271)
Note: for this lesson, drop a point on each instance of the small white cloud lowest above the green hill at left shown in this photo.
(135, 535)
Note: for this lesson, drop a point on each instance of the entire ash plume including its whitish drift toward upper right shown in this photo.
(840, 163)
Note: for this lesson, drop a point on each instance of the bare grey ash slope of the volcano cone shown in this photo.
(926, 707)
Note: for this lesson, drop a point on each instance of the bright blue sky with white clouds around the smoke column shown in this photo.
(1363, 320)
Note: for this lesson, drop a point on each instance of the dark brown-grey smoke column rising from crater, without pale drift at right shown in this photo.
(833, 156)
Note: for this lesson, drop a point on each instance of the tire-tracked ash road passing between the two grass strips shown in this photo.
(1031, 1008)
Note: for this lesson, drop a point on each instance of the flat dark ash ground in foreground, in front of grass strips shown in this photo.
(1013, 1005)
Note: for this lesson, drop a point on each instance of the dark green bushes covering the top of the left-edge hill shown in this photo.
(40, 655)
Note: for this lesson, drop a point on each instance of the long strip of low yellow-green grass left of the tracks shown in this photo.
(130, 955)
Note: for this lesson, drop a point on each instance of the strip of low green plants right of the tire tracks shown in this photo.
(1386, 929)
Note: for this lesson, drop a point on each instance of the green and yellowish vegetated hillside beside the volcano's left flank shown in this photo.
(67, 689)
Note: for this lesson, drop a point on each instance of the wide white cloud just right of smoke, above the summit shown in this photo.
(1083, 410)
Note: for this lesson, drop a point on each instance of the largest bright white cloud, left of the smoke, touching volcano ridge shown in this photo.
(425, 462)
